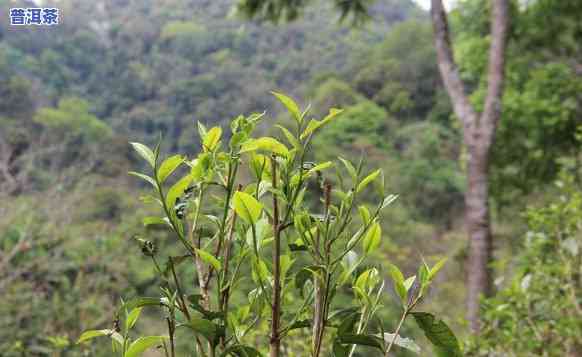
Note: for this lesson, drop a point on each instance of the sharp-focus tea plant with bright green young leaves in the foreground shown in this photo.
(272, 240)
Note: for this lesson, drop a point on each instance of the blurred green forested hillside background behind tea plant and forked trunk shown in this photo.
(72, 96)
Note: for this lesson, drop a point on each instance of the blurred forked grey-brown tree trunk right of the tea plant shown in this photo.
(478, 137)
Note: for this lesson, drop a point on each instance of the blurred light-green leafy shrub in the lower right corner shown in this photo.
(539, 313)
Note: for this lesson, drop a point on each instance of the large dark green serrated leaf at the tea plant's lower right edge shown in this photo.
(439, 334)
